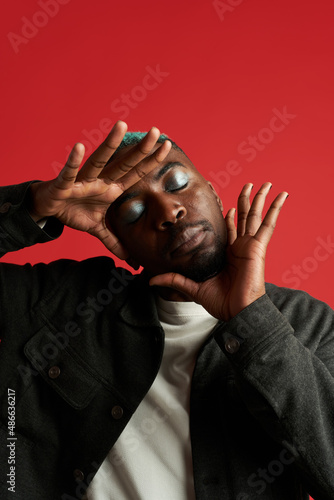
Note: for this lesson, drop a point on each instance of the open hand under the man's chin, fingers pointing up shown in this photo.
(242, 280)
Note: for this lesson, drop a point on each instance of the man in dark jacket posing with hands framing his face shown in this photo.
(192, 380)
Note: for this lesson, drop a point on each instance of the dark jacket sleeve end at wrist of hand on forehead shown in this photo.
(17, 228)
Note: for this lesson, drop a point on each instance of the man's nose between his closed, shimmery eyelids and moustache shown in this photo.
(167, 211)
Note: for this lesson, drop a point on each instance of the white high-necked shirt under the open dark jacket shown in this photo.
(152, 458)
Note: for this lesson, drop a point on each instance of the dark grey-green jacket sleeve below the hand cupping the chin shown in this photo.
(282, 350)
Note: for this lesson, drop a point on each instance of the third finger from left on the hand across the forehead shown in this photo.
(130, 159)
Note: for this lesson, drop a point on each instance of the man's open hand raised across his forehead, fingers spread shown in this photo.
(80, 198)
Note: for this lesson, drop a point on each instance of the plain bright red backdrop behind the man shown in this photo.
(224, 73)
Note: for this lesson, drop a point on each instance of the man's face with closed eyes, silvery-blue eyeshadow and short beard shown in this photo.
(171, 220)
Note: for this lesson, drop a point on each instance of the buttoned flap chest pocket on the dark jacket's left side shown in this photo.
(61, 367)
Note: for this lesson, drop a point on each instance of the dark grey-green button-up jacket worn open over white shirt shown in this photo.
(81, 345)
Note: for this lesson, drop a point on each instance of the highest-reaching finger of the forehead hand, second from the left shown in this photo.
(96, 162)
